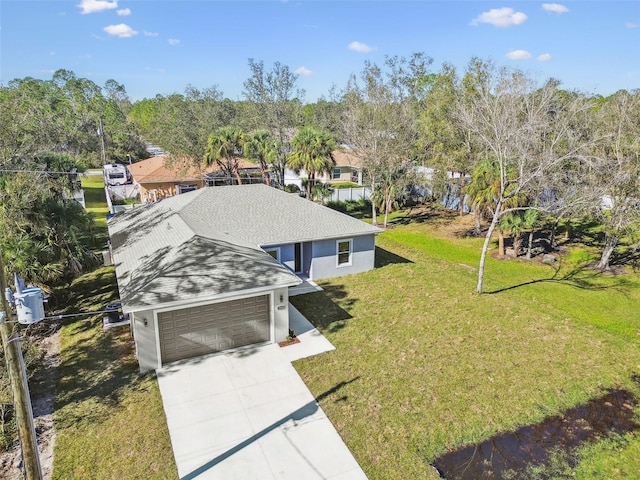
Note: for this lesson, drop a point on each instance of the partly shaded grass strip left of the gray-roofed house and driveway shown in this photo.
(109, 420)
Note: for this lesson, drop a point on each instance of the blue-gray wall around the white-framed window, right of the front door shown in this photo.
(325, 261)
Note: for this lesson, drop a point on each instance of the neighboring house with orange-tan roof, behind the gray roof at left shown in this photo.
(158, 178)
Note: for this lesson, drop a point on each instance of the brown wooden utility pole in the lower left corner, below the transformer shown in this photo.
(19, 388)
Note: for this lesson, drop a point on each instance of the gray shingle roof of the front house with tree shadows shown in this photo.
(207, 242)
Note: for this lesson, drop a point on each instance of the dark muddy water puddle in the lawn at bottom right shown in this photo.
(508, 455)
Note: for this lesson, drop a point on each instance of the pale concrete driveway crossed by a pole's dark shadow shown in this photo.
(248, 415)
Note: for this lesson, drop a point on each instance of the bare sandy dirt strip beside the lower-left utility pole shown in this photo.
(42, 389)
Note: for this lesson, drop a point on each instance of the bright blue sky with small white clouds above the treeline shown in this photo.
(161, 46)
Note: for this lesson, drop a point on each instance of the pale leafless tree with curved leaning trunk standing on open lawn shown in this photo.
(525, 129)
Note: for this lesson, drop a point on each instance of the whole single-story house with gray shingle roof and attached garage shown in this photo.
(210, 270)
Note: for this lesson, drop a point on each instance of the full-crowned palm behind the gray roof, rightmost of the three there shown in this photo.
(312, 152)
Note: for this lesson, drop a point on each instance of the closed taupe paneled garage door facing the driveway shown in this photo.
(195, 331)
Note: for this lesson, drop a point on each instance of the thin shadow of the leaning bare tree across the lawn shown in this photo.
(581, 276)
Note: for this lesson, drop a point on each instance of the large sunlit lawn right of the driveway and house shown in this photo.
(424, 365)
